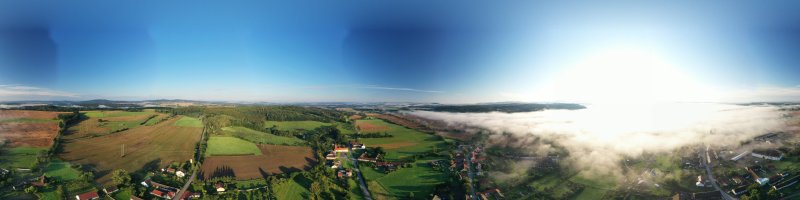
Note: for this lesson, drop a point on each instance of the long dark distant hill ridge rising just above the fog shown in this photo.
(500, 107)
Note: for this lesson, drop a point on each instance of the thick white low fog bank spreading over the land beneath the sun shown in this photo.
(600, 136)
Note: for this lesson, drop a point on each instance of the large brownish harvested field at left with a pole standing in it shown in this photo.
(145, 146)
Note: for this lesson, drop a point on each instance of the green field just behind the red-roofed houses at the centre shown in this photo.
(405, 142)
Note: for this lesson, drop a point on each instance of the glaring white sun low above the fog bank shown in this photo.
(626, 75)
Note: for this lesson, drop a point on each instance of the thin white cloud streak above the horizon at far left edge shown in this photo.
(21, 92)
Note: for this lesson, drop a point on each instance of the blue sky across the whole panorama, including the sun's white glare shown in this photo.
(443, 52)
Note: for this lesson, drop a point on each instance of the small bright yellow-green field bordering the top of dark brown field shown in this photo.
(220, 145)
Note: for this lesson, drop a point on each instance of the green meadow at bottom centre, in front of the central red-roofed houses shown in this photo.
(419, 179)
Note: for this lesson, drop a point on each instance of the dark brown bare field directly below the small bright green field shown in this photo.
(275, 159)
